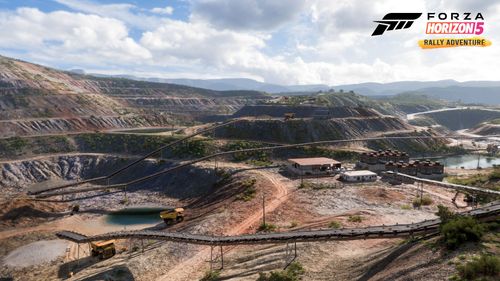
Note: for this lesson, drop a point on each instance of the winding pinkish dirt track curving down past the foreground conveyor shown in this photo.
(187, 270)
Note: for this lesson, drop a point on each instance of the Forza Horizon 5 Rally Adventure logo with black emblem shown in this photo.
(438, 23)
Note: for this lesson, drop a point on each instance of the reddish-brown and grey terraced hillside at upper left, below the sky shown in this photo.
(40, 100)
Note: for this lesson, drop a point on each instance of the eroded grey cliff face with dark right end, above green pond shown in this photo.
(19, 175)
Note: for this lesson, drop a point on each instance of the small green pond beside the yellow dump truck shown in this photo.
(131, 216)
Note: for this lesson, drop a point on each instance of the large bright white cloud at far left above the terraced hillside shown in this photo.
(58, 35)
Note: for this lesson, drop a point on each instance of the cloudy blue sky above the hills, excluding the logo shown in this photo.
(283, 42)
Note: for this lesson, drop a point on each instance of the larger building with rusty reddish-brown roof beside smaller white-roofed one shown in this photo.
(313, 166)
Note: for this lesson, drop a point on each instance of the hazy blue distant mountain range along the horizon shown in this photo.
(486, 92)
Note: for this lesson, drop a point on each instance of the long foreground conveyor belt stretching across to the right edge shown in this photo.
(487, 212)
